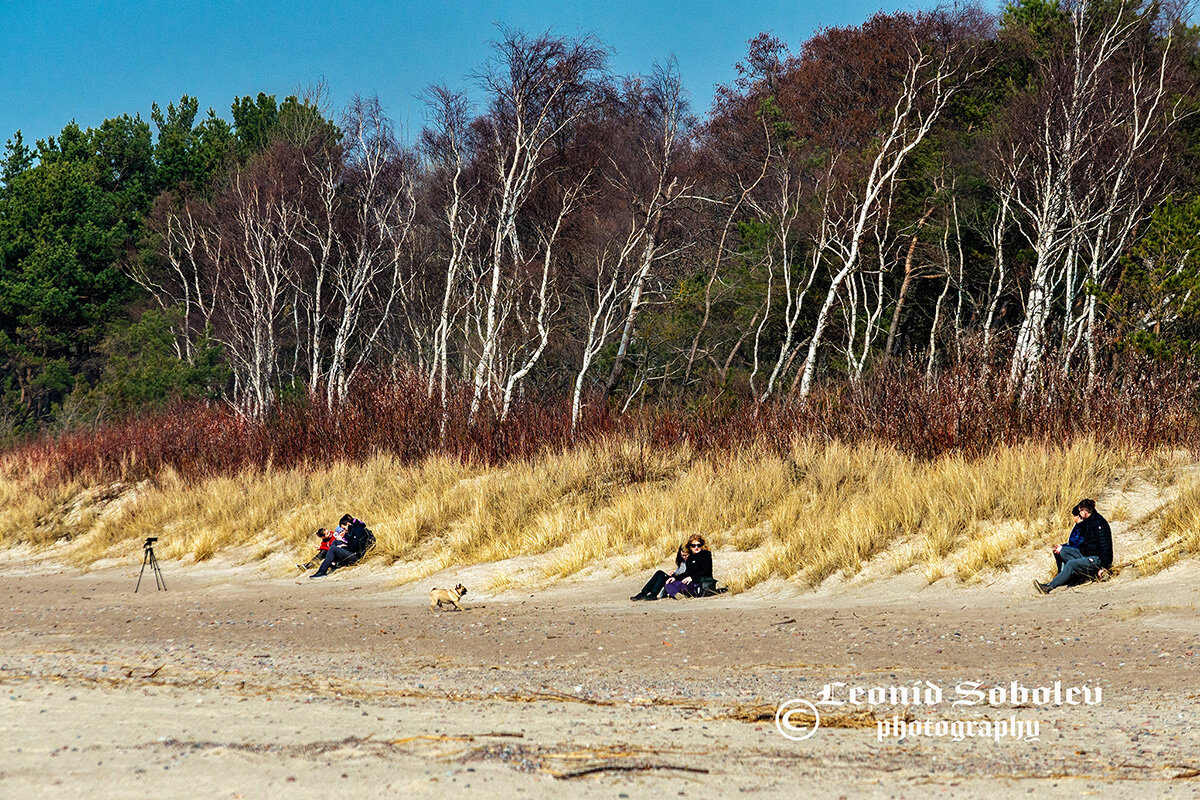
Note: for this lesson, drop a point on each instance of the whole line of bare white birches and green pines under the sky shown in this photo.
(1013, 190)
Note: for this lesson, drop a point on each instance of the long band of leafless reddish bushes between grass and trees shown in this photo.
(1141, 405)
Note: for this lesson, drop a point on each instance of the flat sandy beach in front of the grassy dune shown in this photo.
(244, 682)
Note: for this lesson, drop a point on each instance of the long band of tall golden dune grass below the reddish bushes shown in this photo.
(807, 514)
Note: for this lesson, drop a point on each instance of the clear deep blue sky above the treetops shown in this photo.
(92, 61)
